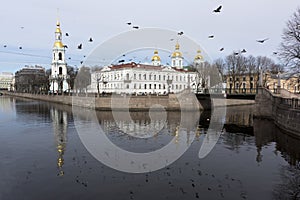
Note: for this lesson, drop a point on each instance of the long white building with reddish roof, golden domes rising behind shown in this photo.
(143, 79)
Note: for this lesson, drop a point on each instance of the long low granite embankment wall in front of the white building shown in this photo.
(173, 102)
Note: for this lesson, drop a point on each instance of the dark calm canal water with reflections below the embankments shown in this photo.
(44, 154)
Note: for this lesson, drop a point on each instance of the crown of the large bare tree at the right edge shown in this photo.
(290, 46)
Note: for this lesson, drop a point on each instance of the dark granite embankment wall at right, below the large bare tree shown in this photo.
(284, 109)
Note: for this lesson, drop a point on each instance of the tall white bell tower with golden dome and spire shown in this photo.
(59, 76)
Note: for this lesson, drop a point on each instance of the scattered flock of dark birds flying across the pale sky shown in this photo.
(180, 33)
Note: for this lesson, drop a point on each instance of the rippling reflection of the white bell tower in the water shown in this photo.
(60, 126)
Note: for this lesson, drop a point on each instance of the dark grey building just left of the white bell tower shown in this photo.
(31, 79)
